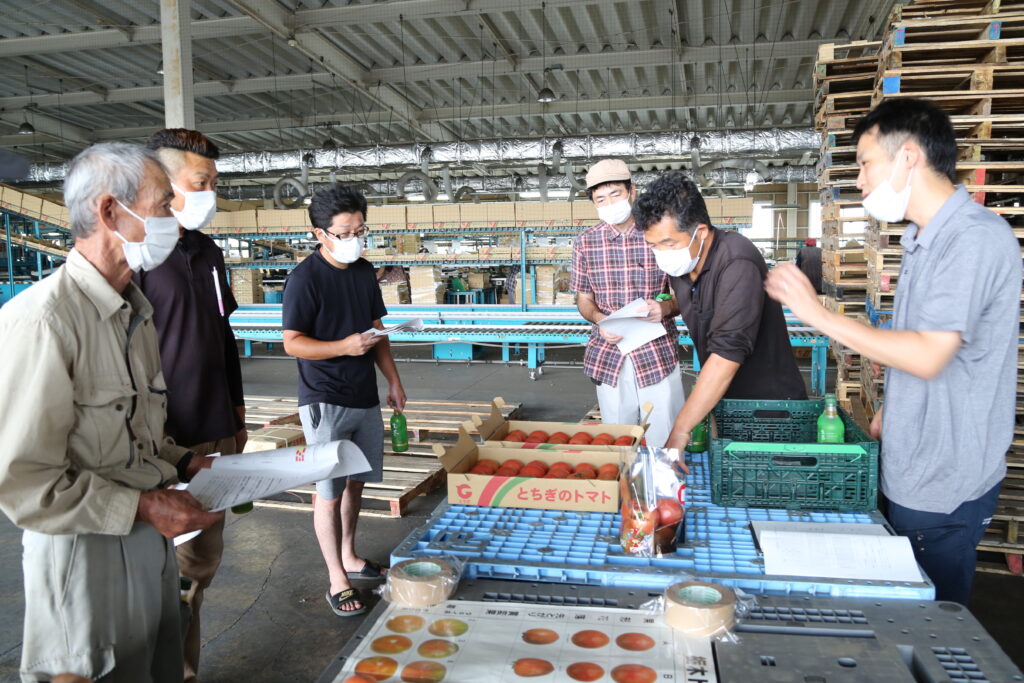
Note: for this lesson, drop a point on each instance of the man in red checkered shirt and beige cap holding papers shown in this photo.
(612, 267)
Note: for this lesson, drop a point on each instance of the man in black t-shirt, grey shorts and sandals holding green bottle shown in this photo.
(331, 301)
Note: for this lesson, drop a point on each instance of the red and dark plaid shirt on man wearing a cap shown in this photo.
(617, 269)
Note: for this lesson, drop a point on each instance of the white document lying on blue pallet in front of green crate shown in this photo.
(839, 557)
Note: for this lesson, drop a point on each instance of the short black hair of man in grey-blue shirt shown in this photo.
(900, 120)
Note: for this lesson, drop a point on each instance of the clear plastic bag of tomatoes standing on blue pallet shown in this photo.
(653, 485)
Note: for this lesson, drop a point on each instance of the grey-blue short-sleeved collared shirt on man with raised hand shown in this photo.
(945, 440)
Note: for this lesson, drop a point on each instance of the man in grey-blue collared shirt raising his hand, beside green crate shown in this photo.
(952, 355)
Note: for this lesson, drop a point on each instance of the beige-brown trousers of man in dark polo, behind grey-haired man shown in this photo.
(199, 560)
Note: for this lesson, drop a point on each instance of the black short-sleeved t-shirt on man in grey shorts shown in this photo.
(329, 304)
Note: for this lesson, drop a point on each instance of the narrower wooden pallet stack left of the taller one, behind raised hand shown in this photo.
(844, 79)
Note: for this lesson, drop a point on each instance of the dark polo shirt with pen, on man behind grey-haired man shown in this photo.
(197, 347)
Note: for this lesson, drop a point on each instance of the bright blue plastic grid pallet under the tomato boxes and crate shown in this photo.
(583, 548)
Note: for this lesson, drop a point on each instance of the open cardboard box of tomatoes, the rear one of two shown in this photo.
(557, 436)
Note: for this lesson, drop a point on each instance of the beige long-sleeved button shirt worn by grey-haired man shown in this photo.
(83, 405)
